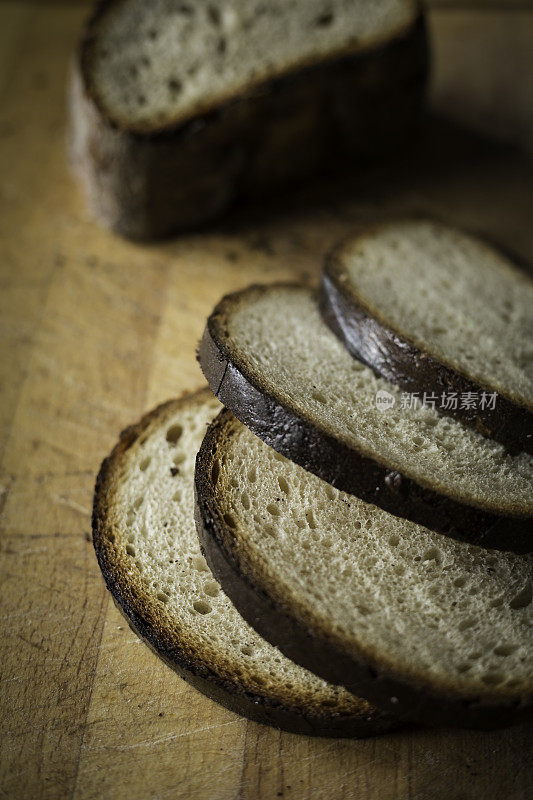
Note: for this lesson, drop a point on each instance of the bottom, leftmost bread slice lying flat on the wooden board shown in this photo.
(147, 548)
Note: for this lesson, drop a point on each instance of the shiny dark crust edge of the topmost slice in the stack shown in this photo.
(394, 356)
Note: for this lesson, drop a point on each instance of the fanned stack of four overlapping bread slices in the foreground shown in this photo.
(345, 544)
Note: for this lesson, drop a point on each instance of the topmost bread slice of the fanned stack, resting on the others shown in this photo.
(439, 312)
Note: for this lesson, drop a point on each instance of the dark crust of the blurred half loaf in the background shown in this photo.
(150, 183)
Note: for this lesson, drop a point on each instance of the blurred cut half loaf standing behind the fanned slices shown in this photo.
(180, 107)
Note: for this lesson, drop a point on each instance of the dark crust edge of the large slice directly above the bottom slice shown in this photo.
(318, 649)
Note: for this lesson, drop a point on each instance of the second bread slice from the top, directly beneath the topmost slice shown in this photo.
(270, 358)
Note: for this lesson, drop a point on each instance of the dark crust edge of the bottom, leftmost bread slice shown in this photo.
(141, 612)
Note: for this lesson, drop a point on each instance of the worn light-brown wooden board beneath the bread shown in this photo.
(94, 331)
